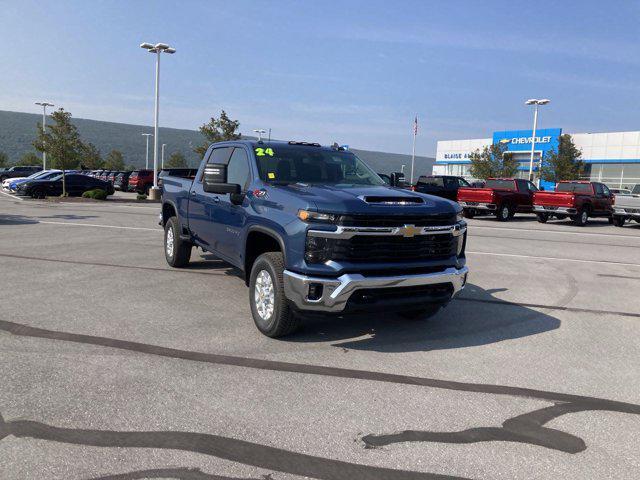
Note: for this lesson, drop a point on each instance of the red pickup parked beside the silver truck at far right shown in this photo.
(576, 200)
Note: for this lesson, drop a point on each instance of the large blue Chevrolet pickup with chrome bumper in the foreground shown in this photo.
(315, 230)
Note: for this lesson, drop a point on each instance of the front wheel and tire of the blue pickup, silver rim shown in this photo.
(275, 317)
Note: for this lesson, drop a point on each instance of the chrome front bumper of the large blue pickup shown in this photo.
(337, 291)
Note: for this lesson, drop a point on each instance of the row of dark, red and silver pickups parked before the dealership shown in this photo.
(505, 197)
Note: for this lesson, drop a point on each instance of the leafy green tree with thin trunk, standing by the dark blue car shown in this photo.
(62, 143)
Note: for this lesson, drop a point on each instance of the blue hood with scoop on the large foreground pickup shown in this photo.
(369, 200)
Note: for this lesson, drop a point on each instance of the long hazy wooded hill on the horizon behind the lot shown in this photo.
(18, 129)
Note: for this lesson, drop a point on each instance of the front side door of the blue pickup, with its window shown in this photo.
(234, 217)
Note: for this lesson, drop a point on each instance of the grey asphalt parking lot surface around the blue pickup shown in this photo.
(115, 366)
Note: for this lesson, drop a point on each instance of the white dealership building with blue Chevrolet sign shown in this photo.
(612, 158)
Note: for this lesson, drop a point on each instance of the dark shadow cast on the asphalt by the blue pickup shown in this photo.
(476, 318)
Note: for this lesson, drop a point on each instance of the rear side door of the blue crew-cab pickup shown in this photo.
(204, 208)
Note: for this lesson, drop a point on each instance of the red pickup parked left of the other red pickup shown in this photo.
(503, 197)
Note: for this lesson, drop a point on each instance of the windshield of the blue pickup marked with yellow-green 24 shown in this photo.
(311, 165)
